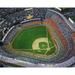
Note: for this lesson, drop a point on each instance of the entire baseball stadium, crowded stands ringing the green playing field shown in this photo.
(57, 48)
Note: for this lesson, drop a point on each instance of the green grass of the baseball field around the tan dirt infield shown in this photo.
(23, 40)
